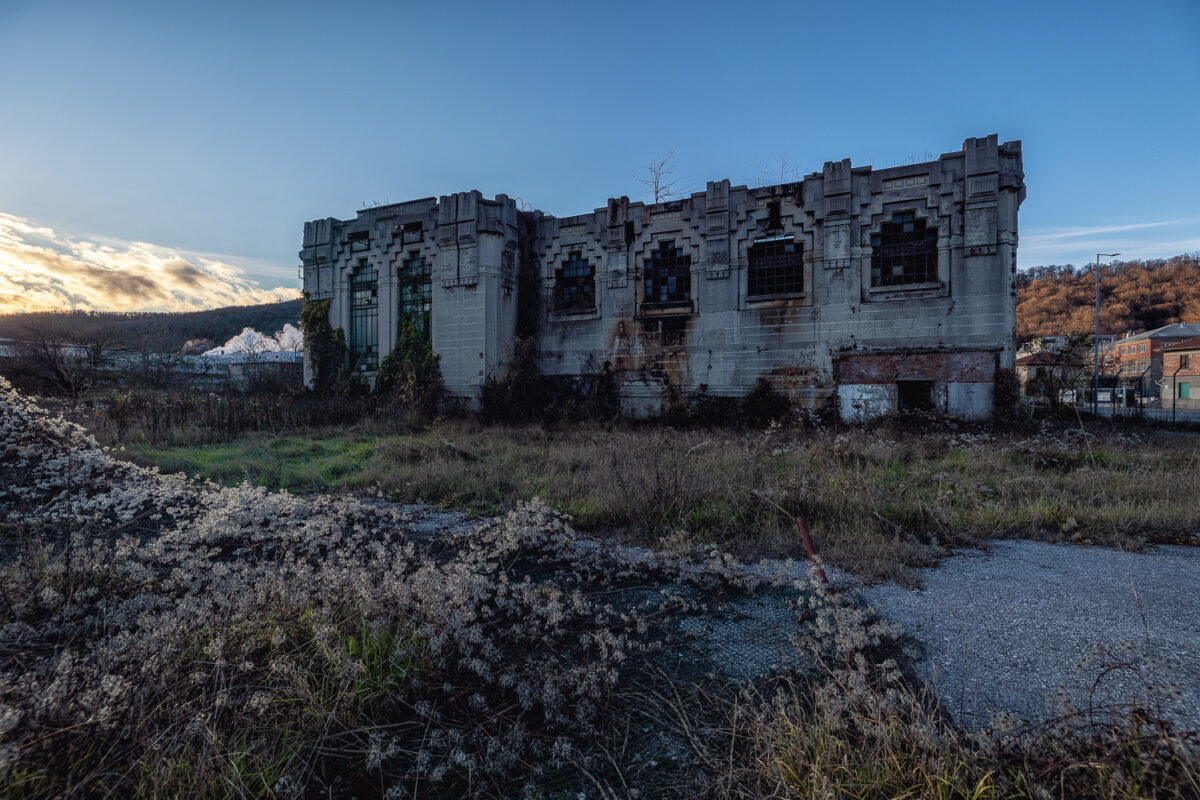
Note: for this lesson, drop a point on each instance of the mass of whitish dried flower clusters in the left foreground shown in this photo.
(175, 617)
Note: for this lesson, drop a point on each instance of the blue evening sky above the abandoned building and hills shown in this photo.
(209, 133)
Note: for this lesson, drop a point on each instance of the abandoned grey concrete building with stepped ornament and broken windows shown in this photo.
(856, 290)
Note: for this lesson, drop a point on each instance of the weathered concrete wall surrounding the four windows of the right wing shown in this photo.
(729, 340)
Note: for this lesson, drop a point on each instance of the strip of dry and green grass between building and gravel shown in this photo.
(879, 502)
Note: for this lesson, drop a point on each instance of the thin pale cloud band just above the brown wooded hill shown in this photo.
(1143, 240)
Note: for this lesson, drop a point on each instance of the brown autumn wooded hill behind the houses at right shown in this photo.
(1135, 297)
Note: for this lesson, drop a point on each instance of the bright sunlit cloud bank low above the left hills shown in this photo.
(43, 269)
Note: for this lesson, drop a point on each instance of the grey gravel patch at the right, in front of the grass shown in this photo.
(1030, 612)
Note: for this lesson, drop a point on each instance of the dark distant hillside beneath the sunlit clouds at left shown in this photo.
(171, 332)
